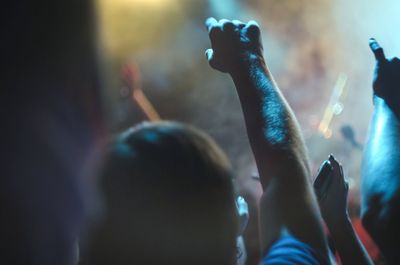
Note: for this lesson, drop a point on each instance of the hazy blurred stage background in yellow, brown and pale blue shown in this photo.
(317, 50)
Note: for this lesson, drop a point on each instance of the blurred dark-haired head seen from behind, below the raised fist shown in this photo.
(168, 197)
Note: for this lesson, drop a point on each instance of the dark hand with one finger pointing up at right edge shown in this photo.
(386, 81)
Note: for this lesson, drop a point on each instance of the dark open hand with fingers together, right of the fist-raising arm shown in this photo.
(332, 189)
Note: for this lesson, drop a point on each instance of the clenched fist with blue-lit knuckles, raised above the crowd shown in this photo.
(232, 43)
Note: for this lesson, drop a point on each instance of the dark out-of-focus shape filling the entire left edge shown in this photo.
(52, 109)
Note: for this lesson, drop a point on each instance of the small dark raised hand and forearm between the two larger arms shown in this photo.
(332, 189)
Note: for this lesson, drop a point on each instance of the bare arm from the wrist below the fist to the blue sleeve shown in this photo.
(279, 152)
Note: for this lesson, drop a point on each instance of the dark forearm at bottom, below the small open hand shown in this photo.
(347, 243)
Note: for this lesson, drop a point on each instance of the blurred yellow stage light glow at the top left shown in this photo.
(129, 25)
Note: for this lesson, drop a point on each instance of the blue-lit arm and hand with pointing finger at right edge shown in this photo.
(380, 182)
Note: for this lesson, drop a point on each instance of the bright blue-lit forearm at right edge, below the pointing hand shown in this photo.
(380, 181)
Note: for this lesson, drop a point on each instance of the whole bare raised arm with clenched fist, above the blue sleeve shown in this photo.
(287, 202)
